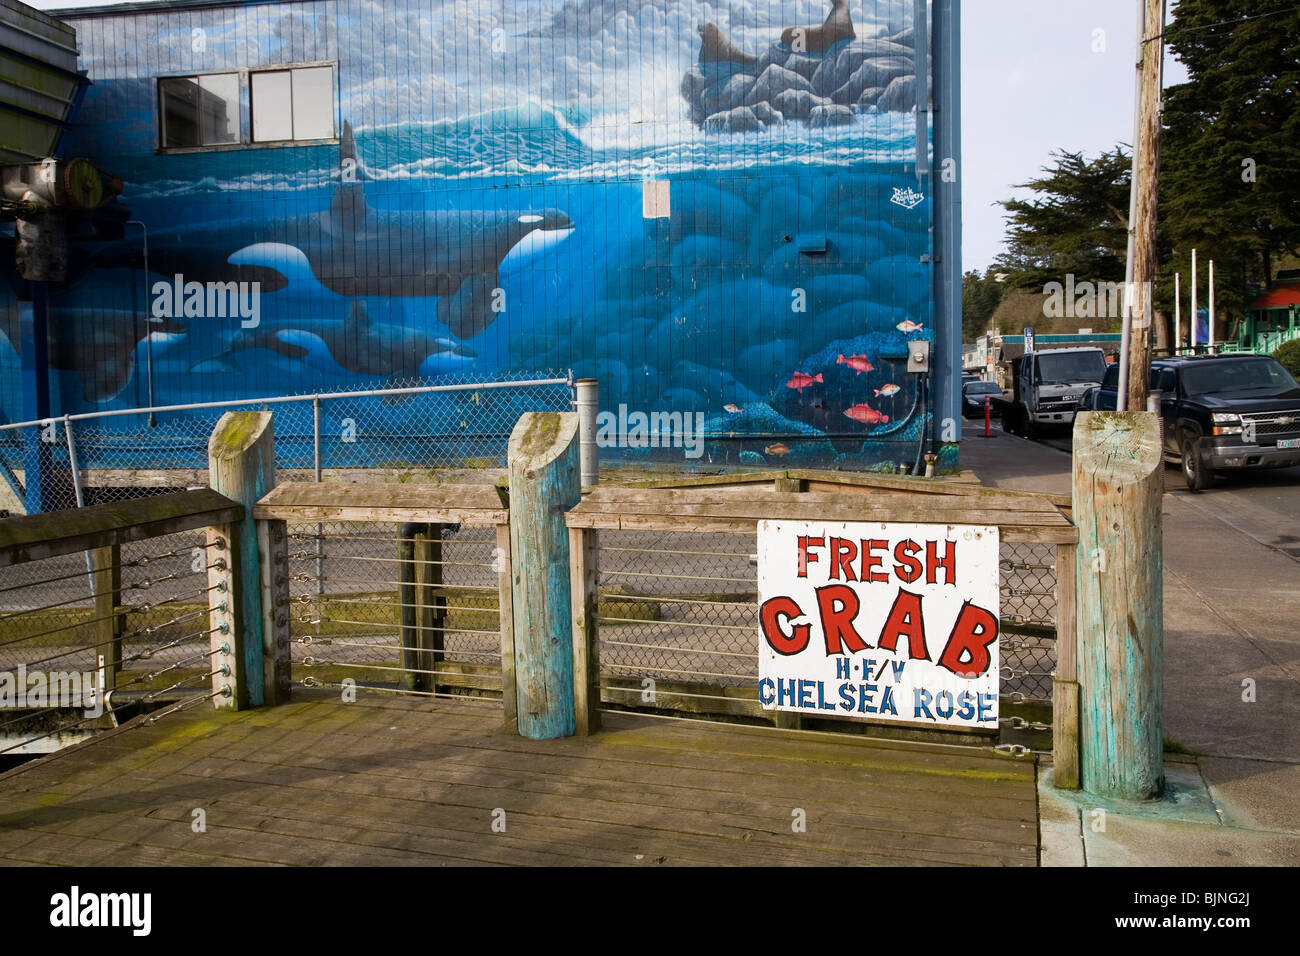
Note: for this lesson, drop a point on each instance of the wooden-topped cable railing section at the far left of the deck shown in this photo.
(114, 613)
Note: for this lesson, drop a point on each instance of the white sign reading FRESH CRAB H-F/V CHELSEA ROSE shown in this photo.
(885, 622)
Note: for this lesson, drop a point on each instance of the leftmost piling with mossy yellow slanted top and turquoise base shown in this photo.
(242, 468)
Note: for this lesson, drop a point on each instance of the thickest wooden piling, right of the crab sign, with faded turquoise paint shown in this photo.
(1119, 481)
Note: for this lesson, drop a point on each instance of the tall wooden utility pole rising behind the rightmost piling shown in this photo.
(1143, 263)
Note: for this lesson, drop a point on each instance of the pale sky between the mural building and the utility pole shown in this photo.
(1037, 76)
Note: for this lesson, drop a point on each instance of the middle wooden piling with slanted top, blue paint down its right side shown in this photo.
(544, 485)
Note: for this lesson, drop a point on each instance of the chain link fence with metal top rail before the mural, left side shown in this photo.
(411, 425)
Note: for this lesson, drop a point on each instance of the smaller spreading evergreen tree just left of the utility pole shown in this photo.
(1078, 224)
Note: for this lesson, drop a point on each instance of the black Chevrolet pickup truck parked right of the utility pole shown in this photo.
(1220, 413)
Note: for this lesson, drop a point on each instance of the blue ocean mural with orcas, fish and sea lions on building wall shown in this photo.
(491, 209)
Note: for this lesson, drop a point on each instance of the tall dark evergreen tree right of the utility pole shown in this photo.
(1230, 167)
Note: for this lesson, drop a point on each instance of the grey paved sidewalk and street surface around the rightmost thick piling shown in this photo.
(1232, 616)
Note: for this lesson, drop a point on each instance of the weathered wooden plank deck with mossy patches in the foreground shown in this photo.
(400, 781)
